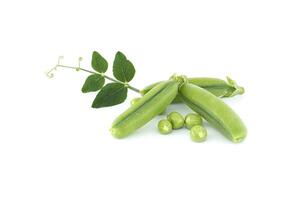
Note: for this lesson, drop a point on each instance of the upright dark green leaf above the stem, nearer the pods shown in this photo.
(123, 69)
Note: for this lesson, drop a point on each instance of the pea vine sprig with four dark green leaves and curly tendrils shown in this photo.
(109, 94)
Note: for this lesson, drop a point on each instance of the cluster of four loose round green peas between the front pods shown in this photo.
(192, 121)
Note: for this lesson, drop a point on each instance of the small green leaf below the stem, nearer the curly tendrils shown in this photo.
(93, 83)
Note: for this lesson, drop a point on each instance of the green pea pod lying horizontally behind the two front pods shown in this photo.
(218, 87)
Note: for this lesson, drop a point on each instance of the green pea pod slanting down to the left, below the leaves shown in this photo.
(149, 106)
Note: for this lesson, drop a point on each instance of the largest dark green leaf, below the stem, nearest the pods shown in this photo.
(110, 95)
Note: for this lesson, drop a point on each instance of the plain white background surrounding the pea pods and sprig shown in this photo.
(54, 146)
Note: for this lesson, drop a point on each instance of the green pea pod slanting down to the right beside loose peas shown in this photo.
(214, 110)
